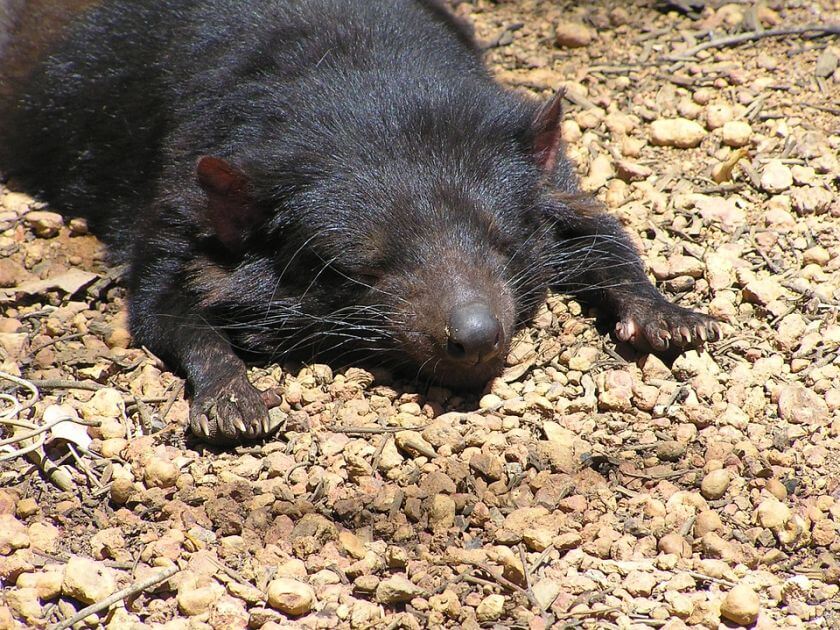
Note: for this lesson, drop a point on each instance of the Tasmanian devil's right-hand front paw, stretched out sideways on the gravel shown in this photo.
(661, 325)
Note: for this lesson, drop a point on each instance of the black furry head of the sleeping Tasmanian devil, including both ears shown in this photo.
(424, 249)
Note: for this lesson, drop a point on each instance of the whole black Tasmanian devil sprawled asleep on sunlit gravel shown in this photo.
(331, 177)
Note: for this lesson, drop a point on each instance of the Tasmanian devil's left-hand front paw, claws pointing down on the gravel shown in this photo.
(231, 412)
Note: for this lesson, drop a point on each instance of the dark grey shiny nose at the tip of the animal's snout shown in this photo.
(474, 333)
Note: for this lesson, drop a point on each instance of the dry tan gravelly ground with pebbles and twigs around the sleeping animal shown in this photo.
(589, 487)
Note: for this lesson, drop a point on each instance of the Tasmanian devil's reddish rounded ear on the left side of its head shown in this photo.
(230, 209)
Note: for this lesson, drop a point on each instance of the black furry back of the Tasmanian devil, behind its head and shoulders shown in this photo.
(132, 93)
